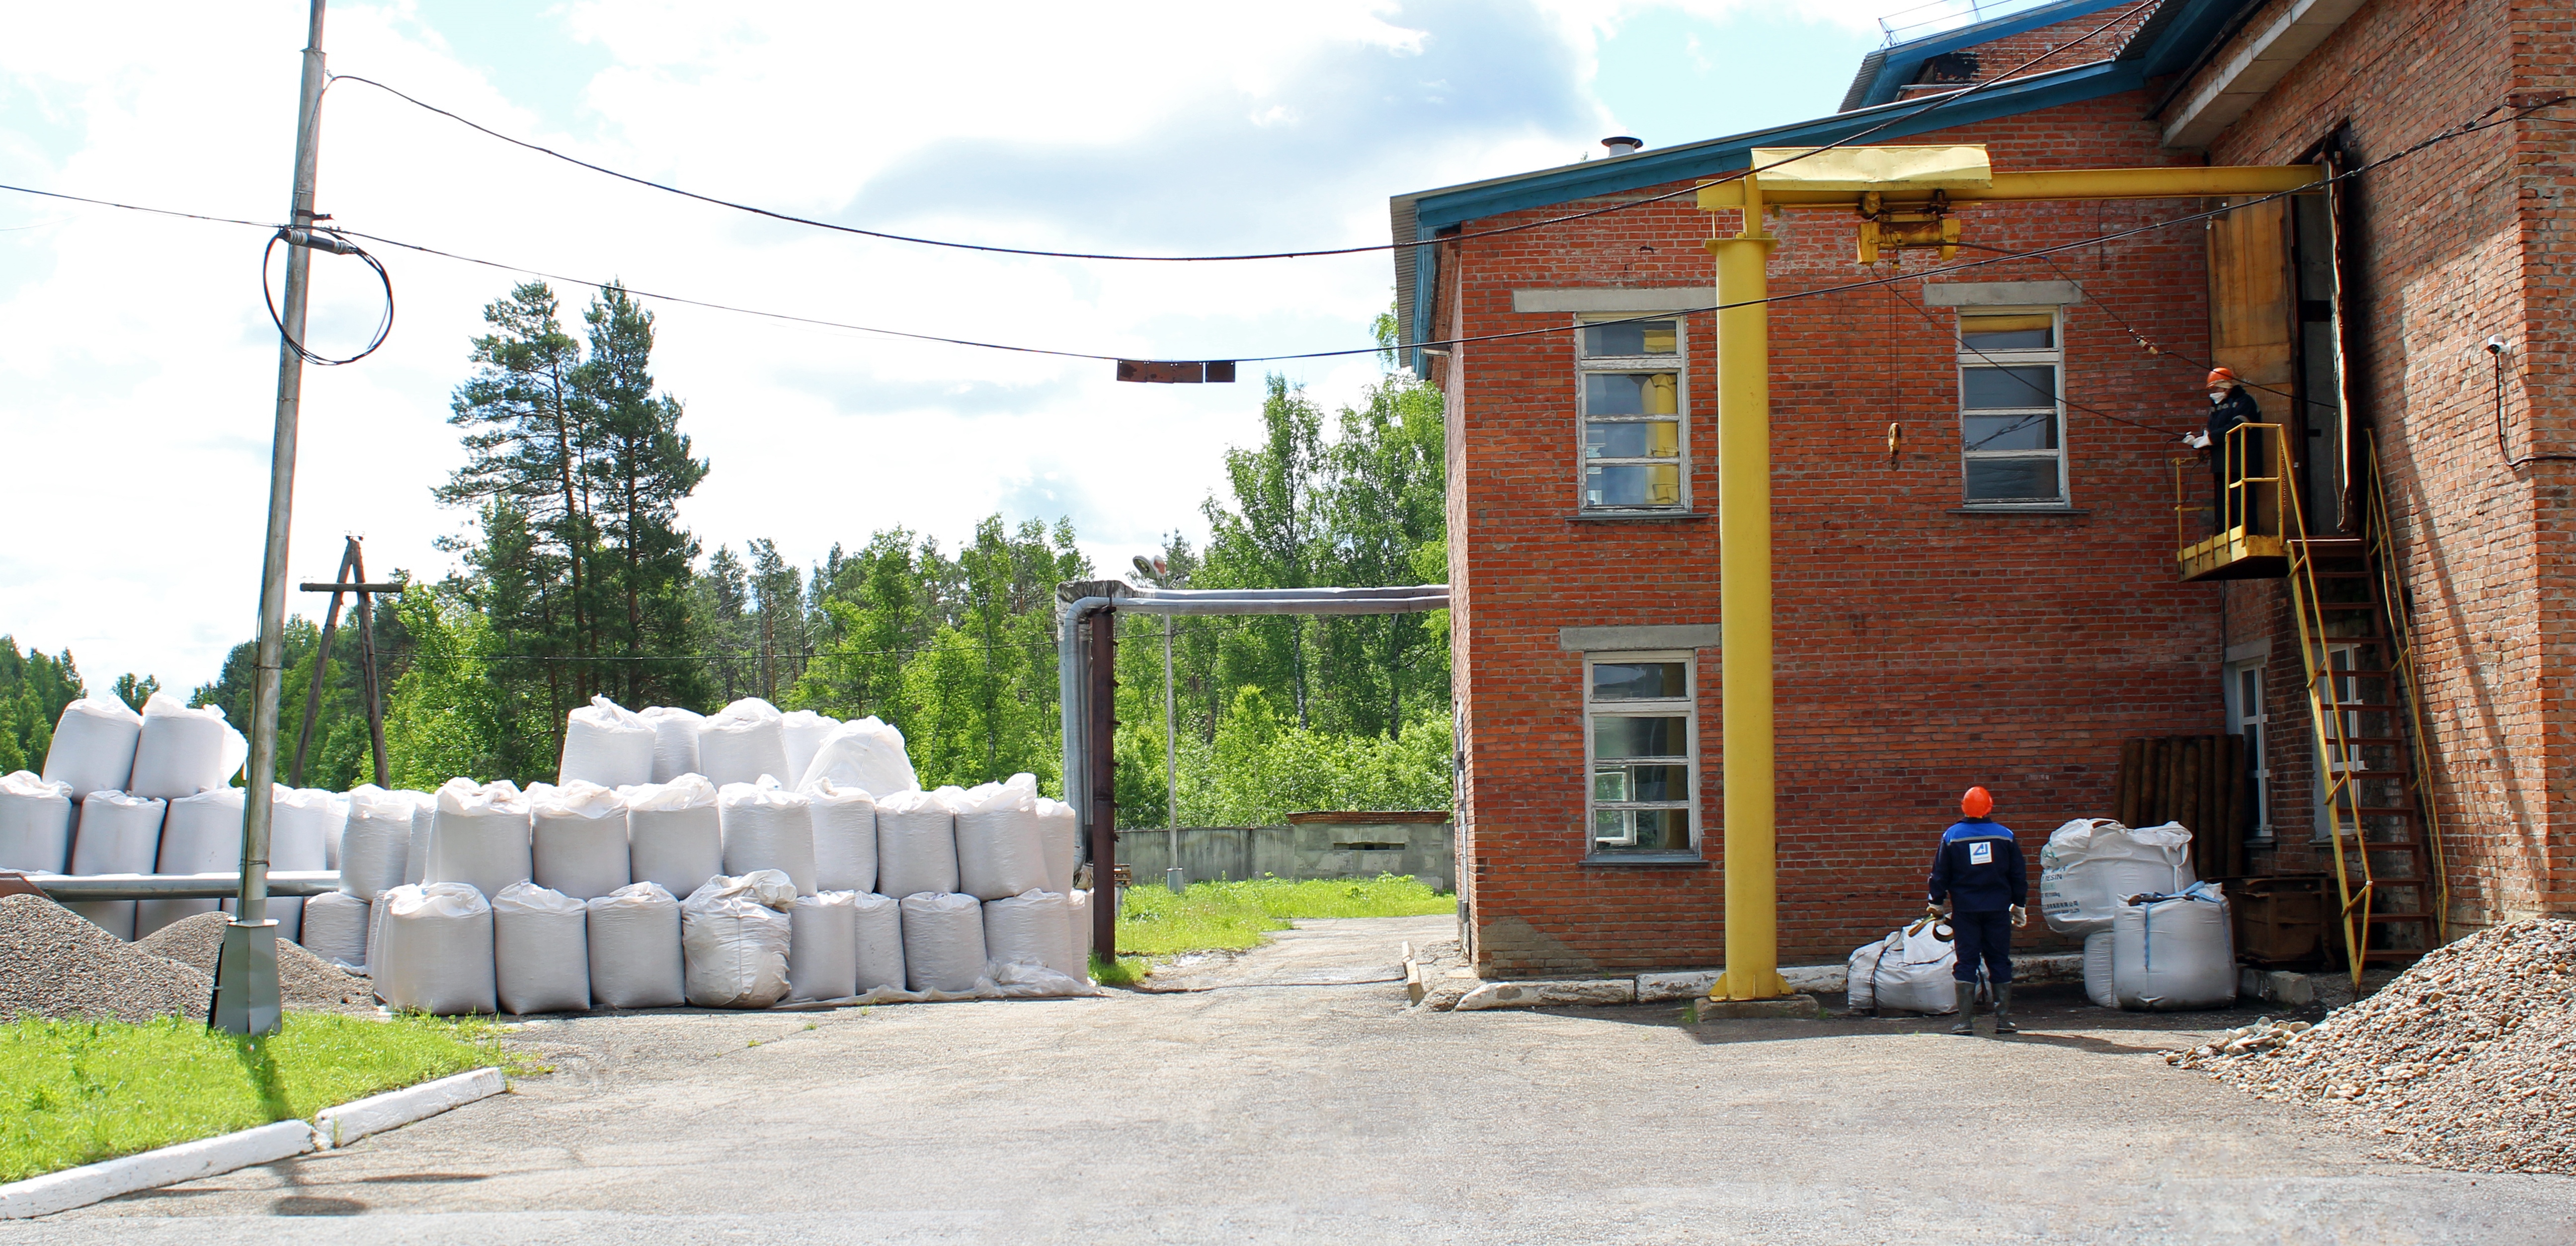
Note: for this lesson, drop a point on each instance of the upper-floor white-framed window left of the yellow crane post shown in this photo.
(1632, 408)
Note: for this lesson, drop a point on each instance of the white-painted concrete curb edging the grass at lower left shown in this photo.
(264, 1144)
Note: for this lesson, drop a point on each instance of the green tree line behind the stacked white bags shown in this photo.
(581, 581)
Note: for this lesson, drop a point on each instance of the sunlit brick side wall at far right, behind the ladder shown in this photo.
(2451, 246)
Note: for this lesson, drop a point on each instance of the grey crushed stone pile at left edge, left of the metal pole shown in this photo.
(58, 964)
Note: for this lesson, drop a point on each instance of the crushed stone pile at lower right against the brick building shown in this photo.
(2464, 1062)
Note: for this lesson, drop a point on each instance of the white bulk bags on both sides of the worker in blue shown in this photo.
(2155, 938)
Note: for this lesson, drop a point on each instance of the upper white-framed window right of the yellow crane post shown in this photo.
(2011, 408)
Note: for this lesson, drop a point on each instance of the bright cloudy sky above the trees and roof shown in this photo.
(140, 367)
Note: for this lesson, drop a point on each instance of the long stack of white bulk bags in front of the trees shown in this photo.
(668, 866)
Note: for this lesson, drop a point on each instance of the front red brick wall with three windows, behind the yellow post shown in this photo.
(1918, 650)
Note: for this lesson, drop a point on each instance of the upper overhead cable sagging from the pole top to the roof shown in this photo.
(1938, 102)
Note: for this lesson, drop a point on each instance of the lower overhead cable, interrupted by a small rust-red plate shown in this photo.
(2456, 133)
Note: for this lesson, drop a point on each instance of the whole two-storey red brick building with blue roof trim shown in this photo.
(1975, 488)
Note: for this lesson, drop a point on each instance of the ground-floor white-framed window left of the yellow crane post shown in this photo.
(1642, 753)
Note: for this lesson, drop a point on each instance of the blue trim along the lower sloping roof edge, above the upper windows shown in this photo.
(1709, 158)
